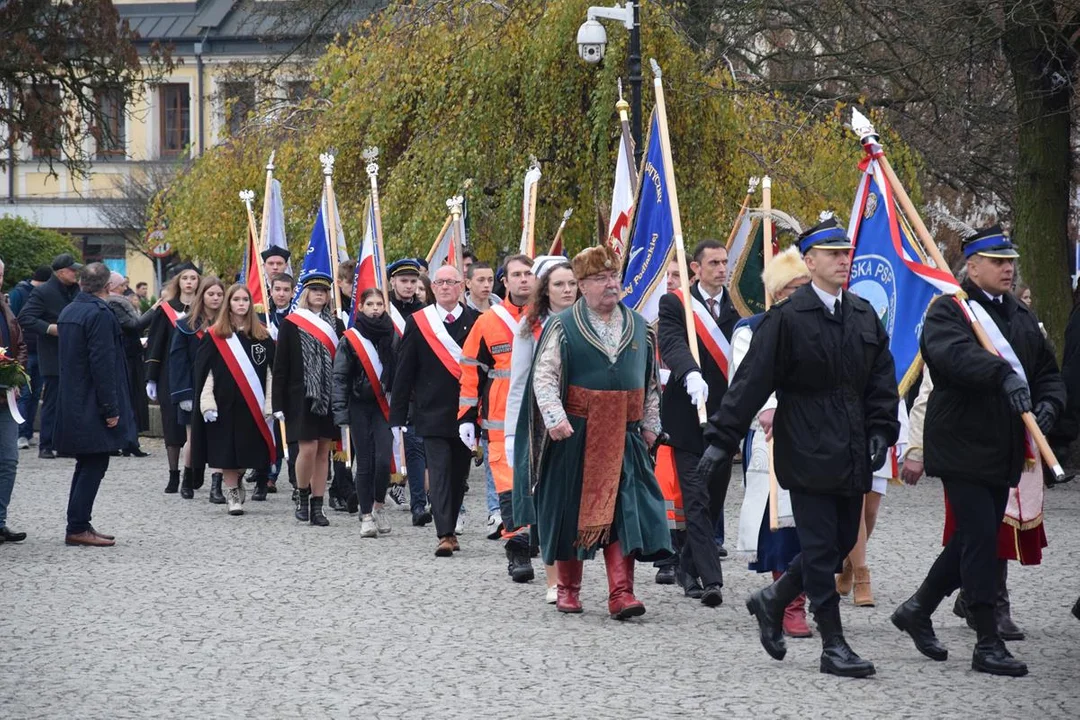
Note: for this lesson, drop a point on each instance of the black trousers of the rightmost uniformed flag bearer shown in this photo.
(970, 559)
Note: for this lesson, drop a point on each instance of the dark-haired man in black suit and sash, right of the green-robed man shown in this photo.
(690, 387)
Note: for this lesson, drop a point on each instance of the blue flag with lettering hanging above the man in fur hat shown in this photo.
(653, 243)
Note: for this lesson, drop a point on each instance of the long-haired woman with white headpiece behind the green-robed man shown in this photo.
(557, 290)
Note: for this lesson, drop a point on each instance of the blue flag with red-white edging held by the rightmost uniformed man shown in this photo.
(889, 271)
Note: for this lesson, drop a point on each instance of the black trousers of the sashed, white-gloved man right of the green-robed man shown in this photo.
(703, 504)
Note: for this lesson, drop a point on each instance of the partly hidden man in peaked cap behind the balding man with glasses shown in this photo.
(404, 282)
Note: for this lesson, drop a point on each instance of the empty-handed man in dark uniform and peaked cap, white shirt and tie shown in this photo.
(827, 356)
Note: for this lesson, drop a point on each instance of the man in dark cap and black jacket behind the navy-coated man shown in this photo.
(39, 317)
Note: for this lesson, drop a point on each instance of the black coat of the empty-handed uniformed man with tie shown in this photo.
(835, 386)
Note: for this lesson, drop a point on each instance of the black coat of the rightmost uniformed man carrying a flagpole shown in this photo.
(970, 432)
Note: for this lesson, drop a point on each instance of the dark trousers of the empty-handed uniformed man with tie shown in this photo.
(829, 529)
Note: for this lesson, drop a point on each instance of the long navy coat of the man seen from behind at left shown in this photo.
(93, 382)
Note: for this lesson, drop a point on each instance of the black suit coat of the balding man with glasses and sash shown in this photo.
(423, 378)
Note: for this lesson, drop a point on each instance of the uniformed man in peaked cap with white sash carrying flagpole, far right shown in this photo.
(975, 438)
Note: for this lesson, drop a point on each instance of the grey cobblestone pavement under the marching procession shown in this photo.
(197, 615)
